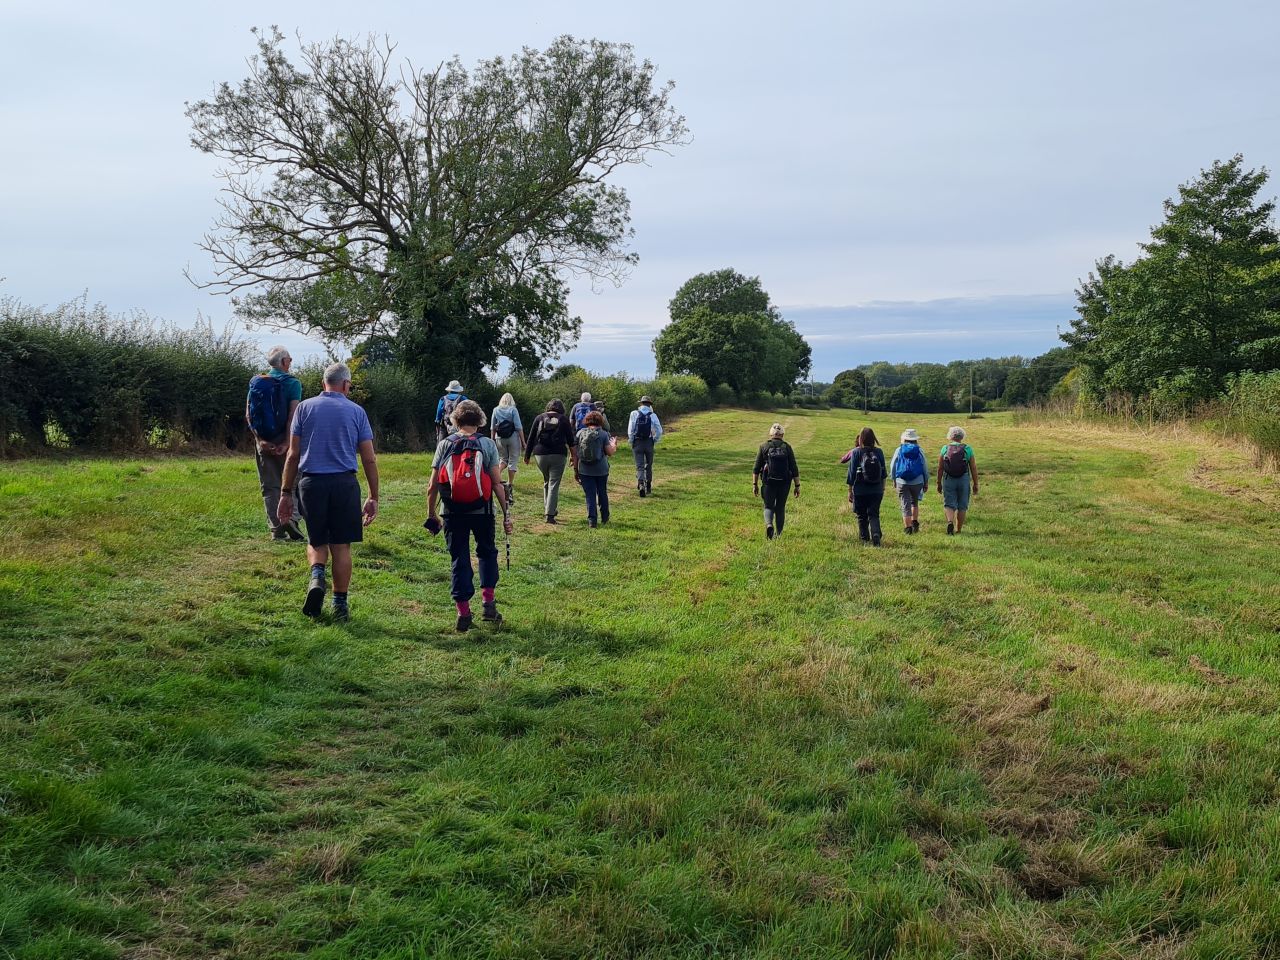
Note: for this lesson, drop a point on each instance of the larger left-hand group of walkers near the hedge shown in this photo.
(308, 452)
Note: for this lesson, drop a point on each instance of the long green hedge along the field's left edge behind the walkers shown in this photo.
(80, 378)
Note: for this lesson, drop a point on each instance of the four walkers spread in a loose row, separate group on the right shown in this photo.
(776, 476)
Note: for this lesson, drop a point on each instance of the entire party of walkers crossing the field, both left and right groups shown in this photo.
(308, 454)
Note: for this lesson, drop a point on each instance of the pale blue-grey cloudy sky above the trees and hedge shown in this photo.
(924, 181)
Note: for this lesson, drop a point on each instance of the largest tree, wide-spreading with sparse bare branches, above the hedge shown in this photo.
(442, 207)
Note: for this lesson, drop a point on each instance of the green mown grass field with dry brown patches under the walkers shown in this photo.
(1055, 735)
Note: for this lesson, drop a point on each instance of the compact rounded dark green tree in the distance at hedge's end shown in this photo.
(725, 331)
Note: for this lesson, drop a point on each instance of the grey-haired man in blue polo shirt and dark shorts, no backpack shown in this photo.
(330, 433)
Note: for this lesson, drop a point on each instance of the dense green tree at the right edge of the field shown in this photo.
(1201, 303)
